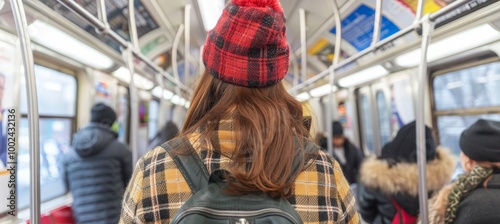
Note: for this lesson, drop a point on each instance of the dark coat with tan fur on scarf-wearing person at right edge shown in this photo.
(479, 206)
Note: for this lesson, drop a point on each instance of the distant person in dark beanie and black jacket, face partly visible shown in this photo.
(348, 155)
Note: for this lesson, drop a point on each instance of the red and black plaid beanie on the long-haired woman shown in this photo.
(248, 45)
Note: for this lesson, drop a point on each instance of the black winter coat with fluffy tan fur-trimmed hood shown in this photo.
(381, 182)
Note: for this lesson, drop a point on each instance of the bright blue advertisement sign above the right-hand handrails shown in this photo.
(357, 27)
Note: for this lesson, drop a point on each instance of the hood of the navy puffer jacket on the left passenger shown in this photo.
(92, 139)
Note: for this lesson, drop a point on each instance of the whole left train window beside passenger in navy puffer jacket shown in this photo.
(57, 108)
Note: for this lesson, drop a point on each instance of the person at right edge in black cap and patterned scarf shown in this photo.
(475, 196)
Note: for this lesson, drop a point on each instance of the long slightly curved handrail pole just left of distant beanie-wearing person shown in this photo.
(336, 56)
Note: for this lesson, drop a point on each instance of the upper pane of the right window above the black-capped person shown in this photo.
(470, 87)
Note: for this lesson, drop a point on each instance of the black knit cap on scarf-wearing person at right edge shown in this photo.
(481, 141)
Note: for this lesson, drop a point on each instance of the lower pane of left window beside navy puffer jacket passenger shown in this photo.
(55, 137)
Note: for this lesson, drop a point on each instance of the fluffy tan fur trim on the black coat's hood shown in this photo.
(403, 177)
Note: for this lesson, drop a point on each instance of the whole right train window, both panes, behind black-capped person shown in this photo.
(463, 96)
